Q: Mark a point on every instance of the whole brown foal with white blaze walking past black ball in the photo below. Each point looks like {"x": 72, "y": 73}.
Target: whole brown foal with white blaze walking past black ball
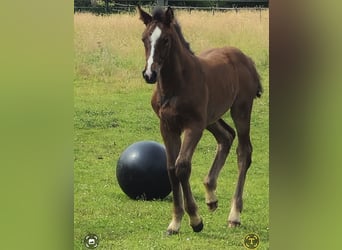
{"x": 192, "y": 94}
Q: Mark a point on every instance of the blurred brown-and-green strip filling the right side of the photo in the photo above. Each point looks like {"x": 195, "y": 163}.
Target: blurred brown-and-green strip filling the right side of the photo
{"x": 305, "y": 124}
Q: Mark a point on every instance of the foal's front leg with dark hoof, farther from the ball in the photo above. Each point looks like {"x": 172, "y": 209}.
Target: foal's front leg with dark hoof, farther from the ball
{"x": 183, "y": 171}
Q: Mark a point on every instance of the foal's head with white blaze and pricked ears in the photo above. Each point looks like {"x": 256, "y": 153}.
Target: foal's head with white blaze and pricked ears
{"x": 161, "y": 30}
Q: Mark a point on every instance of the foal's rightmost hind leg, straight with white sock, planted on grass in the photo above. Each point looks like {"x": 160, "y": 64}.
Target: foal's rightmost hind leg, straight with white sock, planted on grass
{"x": 241, "y": 116}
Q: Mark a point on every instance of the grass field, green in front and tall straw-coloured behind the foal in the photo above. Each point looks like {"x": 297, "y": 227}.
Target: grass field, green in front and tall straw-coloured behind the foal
{"x": 112, "y": 111}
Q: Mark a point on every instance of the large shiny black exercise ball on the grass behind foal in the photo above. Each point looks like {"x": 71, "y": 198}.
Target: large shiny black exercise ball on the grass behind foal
{"x": 141, "y": 171}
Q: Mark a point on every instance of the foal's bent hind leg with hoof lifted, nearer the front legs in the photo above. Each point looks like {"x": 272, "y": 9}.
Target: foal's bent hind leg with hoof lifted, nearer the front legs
{"x": 224, "y": 136}
